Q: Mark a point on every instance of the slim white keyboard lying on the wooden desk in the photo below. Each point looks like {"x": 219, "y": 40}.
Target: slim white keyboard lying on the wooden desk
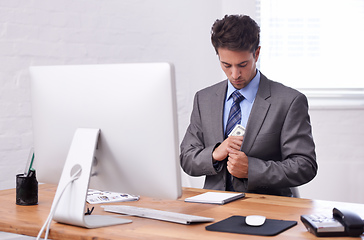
{"x": 156, "y": 214}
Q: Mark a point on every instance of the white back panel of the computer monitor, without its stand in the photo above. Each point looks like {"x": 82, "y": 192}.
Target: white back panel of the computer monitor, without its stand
{"x": 133, "y": 105}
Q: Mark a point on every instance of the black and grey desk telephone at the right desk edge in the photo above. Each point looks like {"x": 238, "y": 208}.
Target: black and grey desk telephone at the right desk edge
{"x": 341, "y": 223}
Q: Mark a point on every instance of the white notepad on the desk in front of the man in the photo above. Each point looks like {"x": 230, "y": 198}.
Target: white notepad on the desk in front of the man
{"x": 215, "y": 197}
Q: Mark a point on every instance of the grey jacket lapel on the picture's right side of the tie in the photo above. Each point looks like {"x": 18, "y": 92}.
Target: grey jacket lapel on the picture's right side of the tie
{"x": 258, "y": 114}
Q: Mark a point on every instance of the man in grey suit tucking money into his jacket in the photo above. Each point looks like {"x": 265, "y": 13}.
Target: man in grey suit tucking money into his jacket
{"x": 277, "y": 151}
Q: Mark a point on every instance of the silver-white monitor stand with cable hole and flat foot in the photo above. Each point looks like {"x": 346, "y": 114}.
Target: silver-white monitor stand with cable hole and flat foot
{"x": 70, "y": 199}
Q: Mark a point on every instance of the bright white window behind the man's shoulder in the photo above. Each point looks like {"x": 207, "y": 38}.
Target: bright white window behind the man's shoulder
{"x": 315, "y": 44}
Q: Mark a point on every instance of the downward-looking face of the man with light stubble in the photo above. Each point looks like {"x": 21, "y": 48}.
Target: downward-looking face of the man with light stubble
{"x": 239, "y": 66}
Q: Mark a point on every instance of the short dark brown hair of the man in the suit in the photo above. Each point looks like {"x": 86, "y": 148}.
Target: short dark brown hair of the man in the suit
{"x": 236, "y": 33}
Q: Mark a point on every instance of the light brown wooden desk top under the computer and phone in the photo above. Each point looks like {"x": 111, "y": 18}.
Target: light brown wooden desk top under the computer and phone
{"x": 28, "y": 220}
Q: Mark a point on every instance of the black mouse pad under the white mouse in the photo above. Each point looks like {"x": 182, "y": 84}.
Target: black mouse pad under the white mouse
{"x": 236, "y": 224}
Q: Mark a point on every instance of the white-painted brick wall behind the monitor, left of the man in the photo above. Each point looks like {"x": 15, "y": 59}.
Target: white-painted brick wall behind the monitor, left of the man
{"x": 44, "y": 32}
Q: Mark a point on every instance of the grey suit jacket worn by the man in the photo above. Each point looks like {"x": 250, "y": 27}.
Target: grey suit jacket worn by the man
{"x": 278, "y": 140}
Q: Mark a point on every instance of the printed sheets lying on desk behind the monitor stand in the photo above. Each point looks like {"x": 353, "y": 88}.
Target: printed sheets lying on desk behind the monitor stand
{"x": 96, "y": 196}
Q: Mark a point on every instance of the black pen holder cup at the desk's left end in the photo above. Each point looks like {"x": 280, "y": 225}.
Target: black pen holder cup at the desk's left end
{"x": 26, "y": 190}
